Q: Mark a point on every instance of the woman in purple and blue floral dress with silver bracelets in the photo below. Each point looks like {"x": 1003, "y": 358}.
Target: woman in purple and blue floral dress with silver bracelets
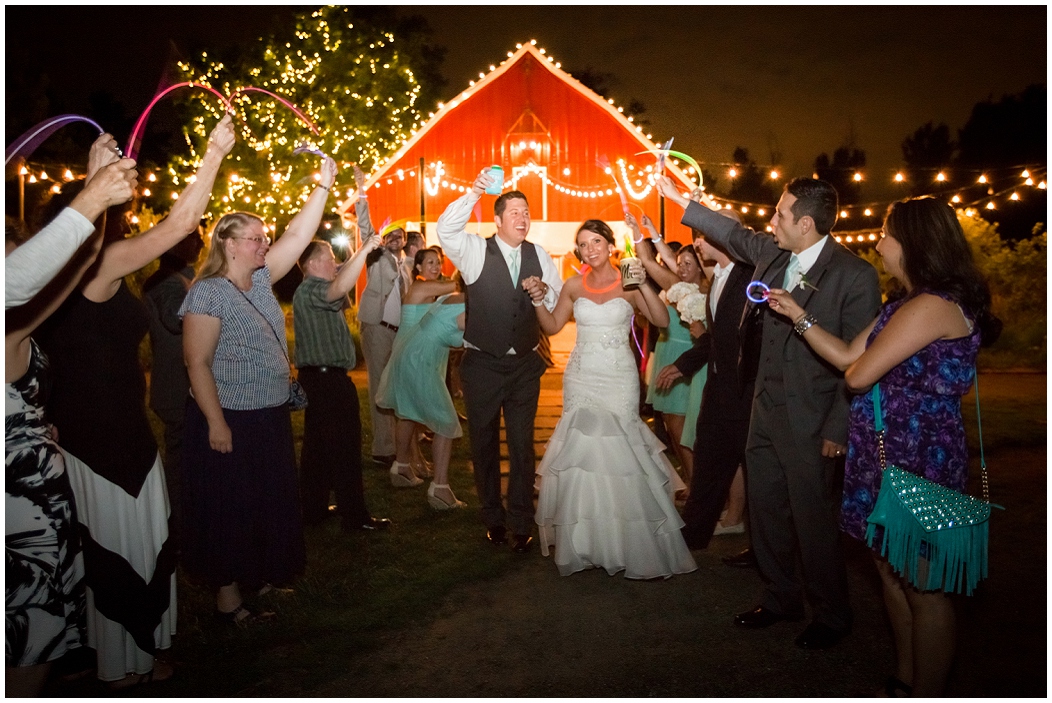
{"x": 922, "y": 351}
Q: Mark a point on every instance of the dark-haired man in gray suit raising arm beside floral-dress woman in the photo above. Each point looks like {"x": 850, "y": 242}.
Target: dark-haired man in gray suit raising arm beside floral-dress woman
{"x": 800, "y": 410}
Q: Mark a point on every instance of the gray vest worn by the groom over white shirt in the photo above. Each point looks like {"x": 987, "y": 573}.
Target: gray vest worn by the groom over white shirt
{"x": 500, "y": 316}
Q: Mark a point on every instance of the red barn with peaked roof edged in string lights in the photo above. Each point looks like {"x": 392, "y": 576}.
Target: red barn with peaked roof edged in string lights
{"x": 550, "y": 133}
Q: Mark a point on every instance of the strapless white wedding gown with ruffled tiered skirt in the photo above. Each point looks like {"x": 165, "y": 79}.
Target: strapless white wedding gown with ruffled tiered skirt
{"x": 605, "y": 486}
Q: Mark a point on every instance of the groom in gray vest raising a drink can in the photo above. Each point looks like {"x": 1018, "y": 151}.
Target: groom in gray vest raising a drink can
{"x": 501, "y": 371}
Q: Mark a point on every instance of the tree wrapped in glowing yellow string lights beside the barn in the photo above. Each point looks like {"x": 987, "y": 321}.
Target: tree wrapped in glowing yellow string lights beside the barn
{"x": 356, "y": 83}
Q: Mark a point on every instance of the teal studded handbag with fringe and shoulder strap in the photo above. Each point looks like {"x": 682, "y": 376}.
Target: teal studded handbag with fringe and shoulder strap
{"x": 916, "y": 512}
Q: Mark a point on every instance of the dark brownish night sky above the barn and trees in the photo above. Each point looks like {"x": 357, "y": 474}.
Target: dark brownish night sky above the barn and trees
{"x": 796, "y": 82}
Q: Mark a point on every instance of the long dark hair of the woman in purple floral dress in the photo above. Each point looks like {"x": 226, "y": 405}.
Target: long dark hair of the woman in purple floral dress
{"x": 937, "y": 257}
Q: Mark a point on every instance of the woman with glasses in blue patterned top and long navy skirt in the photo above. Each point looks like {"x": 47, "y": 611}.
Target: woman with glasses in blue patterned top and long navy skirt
{"x": 242, "y": 511}
